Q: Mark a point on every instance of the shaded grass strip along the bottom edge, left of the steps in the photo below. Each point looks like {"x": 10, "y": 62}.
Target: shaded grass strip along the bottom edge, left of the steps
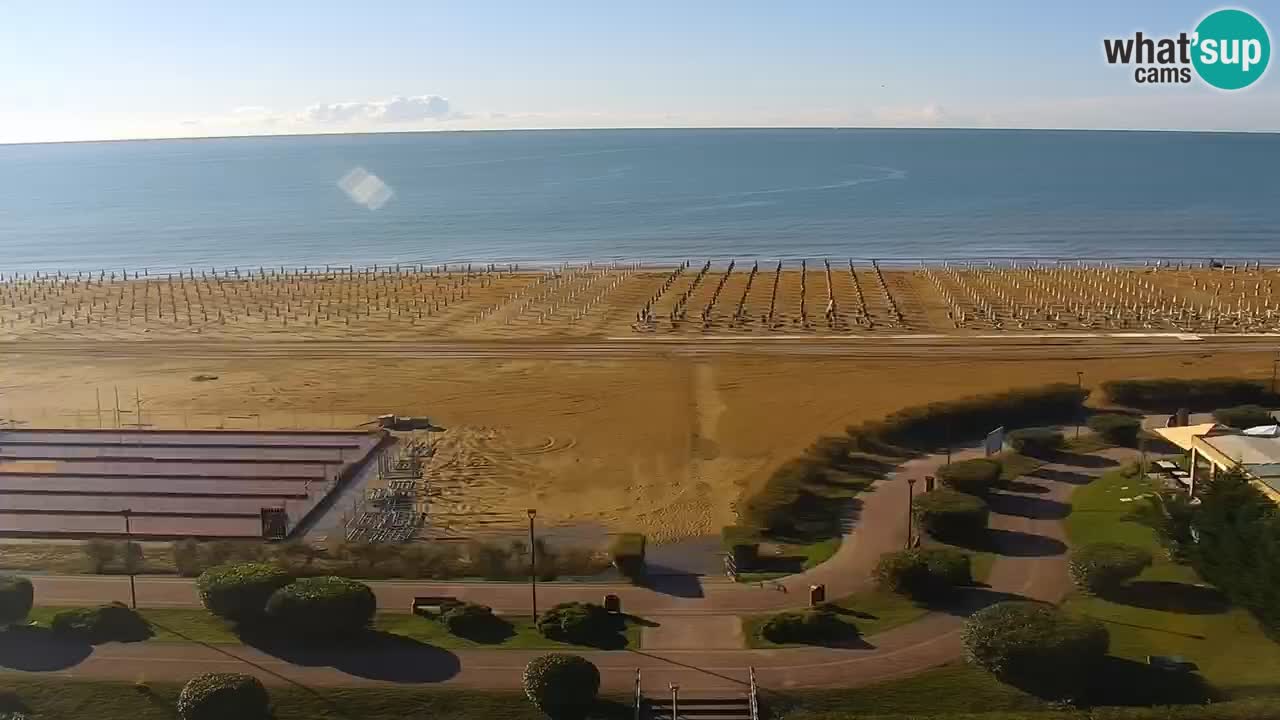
{"x": 122, "y": 701}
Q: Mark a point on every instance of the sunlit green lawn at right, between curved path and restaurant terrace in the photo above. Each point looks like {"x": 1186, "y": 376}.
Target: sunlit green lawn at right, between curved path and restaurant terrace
{"x": 1169, "y": 612}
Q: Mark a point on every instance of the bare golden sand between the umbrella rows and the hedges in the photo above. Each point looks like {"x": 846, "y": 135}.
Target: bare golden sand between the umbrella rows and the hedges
{"x": 664, "y": 445}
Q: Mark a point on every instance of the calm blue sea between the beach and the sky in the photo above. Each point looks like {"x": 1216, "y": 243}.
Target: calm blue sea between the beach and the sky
{"x": 656, "y": 195}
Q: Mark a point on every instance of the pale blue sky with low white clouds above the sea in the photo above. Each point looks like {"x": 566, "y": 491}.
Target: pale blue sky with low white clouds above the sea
{"x": 122, "y": 70}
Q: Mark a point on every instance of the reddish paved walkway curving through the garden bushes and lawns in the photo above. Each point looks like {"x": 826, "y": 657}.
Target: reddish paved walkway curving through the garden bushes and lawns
{"x": 1026, "y": 527}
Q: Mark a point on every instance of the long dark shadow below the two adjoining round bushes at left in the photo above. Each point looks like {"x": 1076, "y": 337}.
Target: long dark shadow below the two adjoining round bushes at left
{"x": 373, "y": 655}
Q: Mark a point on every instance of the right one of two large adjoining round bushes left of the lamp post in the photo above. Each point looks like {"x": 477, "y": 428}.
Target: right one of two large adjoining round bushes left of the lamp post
{"x": 322, "y": 609}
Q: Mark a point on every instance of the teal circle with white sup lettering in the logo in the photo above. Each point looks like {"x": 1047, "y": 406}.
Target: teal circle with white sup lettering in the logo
{"x": 1232, "y": 49}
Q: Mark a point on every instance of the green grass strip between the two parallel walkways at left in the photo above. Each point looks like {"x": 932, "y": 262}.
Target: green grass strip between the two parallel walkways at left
{"x": 199, "y": 626}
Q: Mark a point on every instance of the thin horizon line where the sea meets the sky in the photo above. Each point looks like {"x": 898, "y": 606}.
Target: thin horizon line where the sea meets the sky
{"x": 639, "y": 129}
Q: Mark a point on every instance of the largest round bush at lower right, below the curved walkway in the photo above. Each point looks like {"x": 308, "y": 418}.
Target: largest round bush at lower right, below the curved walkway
{"x": 1035, "y": 646}
